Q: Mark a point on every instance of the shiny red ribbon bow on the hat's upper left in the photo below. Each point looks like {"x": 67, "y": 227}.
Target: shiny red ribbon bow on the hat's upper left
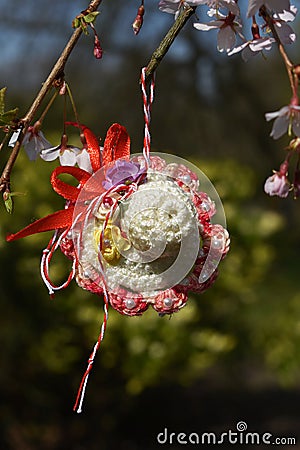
{"x": 116, "y": 146}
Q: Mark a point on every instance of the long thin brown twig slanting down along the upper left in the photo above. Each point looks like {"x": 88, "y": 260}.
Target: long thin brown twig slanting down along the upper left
{"x": 55, "y": 73}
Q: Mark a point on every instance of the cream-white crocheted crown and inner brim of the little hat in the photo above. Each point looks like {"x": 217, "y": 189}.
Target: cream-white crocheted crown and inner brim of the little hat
{"x": 160, "y": 223}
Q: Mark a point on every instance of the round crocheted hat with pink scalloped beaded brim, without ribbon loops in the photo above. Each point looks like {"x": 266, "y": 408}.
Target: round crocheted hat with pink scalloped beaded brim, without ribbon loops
{"x": 148, "y": 239}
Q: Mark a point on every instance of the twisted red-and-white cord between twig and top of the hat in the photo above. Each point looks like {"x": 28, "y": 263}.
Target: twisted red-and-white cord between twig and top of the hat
{"x": 147, "y": 112}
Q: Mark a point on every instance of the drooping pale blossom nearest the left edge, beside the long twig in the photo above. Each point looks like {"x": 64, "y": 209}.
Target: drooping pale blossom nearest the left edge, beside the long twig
{"x": 34, "y": 141}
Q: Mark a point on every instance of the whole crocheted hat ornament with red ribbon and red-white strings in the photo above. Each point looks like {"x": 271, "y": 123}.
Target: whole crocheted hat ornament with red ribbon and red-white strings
{"x": 139, "y": 229}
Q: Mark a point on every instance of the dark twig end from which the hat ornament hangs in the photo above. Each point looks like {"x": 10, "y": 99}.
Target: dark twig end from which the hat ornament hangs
{"x": 168, "y": 40}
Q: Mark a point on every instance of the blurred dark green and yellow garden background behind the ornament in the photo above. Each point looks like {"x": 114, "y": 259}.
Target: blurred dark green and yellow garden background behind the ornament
{"x": 234, "y": 352}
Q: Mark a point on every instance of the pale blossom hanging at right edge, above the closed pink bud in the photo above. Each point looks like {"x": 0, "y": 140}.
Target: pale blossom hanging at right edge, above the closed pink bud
{"x": 286, "y": 119}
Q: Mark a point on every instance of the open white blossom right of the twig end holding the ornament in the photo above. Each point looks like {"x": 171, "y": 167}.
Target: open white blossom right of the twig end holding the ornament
{"x": 228, "y": 27}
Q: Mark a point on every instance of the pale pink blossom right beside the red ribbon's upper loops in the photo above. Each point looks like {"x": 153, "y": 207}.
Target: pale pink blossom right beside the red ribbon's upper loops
{"x": 68, "y": 155}
